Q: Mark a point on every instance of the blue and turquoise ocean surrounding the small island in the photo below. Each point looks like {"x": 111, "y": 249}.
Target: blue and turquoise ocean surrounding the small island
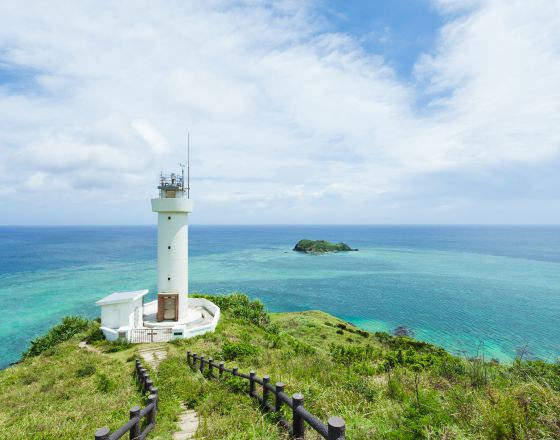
{"x": 470, "y": 289}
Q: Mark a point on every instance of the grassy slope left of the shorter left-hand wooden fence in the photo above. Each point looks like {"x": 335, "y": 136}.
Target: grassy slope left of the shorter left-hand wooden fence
{"x": 65, "y": 393}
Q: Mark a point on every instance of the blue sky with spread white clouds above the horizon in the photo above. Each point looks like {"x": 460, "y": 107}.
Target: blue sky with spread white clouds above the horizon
{"x": 299, "y": 111}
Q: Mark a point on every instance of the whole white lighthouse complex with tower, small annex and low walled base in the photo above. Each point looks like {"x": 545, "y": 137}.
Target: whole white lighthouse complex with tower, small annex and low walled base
{"x": 173, "y": 314}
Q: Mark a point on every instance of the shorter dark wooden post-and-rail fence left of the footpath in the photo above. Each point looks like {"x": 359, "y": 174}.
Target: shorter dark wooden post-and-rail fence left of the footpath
{"x": 134, "y": 426}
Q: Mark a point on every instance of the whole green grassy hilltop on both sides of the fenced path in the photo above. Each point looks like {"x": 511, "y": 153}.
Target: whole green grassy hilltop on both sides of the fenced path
{"x": 385, "y": 387}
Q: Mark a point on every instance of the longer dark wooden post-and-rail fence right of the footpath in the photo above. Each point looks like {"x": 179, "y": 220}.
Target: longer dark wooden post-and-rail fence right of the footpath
{"x": 333, "y": 430}
